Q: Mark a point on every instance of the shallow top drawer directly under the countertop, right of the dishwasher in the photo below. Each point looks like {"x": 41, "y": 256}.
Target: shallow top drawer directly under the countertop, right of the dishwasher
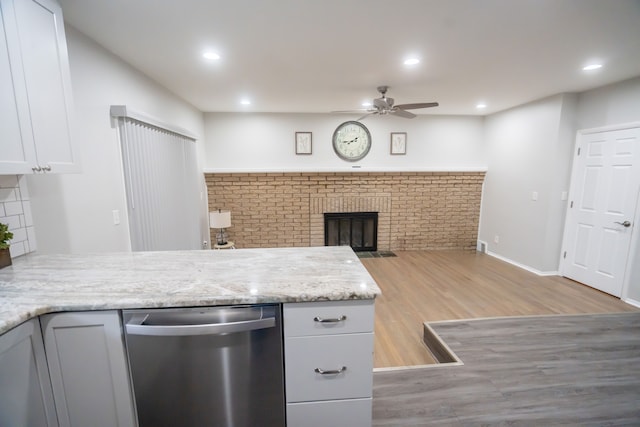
{"x": 325, "y": 318}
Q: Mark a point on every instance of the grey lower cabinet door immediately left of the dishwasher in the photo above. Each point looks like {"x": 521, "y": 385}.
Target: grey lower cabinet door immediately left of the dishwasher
{"x": 86, "y": 357}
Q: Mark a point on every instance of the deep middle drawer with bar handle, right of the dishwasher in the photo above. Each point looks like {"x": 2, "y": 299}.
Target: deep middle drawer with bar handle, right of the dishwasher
{"x": 351, "y": 353}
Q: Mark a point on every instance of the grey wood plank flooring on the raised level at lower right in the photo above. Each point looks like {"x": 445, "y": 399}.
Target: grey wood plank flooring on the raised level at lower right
{"x": 581, "y": 370}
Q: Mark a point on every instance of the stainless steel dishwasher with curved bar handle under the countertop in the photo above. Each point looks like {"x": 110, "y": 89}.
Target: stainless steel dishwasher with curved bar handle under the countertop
{"x": 213, "y": 366}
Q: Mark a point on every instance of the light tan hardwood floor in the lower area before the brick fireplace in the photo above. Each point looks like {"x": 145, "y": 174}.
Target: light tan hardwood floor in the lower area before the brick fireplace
{"x": 420, "y": 286}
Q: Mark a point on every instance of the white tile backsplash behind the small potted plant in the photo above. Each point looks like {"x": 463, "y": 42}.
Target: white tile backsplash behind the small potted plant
{"x": 15, "y": 210}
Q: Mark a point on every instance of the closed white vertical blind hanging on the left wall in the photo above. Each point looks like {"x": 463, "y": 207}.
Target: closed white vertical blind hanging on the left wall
{"x": 162, "y": 186}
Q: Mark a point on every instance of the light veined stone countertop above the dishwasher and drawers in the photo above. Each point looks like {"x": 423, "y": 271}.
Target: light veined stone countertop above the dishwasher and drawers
{"x": 39, "y": 284}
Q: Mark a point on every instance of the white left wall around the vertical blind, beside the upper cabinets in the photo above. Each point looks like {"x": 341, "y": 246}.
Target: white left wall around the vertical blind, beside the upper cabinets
{"x": 73, "y": 213}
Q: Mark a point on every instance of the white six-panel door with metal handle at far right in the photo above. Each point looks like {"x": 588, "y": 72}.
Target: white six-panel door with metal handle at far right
{"x": 600, "y": 217}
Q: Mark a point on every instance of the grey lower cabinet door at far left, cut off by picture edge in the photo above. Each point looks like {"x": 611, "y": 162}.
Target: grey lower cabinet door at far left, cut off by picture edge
{"x": 25, "y": 389}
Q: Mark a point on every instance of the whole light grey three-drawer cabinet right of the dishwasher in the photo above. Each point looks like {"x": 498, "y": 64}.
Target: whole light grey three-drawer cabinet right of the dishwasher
{"x": 329, "y": 363}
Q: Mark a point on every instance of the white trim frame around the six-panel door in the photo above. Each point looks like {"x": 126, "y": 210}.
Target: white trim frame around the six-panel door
{"x": 634, "y": 246}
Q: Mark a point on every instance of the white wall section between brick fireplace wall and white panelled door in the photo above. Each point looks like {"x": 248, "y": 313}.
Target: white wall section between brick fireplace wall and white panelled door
{"x": 529, "y": 150}
